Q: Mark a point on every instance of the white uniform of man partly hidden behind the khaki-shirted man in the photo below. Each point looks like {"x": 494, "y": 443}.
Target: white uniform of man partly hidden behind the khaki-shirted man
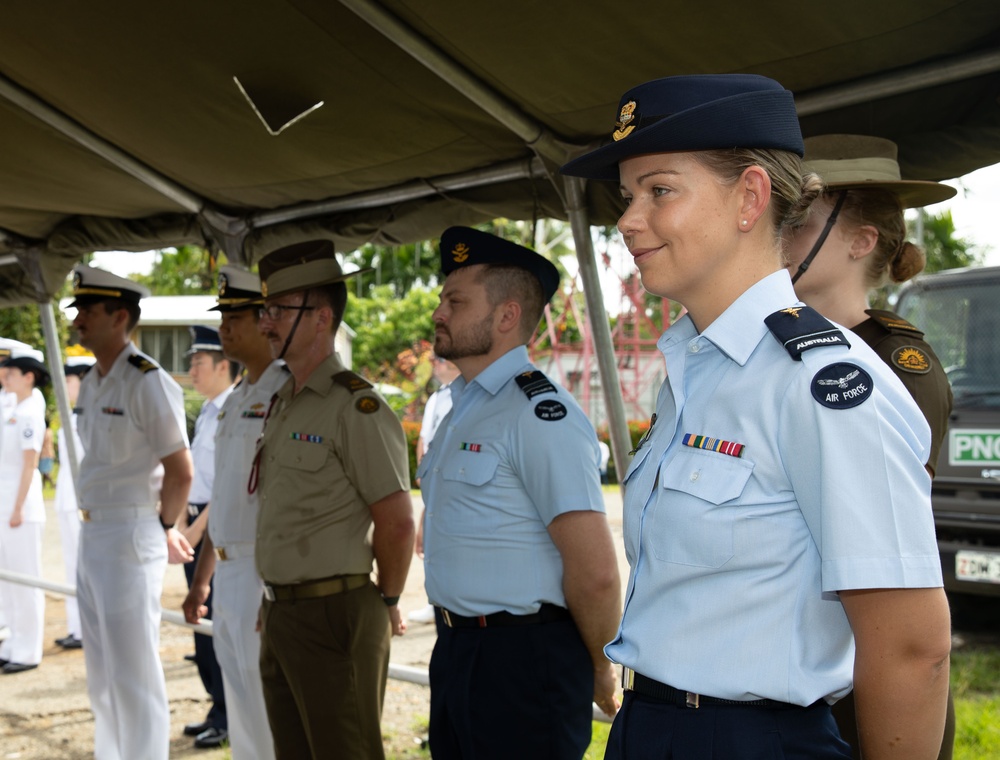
{"x": 238, "y": 589}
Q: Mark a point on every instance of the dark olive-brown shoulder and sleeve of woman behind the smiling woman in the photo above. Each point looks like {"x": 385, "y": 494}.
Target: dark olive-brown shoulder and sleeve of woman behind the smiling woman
{"x": 902, "y": 346}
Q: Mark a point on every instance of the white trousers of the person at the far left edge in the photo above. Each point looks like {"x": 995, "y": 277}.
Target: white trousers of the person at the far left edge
{"x": 24, "y": 606}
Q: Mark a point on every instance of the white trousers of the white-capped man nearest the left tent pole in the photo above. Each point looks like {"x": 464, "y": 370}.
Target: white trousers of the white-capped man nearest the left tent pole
{"x": 119, "y": 582}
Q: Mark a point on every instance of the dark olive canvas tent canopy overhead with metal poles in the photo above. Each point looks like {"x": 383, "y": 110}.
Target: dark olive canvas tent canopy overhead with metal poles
{"x": 125, "y": 125}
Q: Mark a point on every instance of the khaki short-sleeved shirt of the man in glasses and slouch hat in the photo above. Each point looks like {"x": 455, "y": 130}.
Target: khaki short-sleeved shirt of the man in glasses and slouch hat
{"x": 325, "y": 455}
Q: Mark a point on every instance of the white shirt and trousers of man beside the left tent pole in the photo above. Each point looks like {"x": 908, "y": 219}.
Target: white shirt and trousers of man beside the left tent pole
{"x": 129, "y": 420}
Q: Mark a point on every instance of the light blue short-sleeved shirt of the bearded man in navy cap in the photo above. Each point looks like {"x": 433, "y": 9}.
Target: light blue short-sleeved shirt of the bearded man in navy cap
{"x": 500, "y": 468}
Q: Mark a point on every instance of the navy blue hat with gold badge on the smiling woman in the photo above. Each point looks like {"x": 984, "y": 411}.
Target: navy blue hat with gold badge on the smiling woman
{"x": 691, "y": 113}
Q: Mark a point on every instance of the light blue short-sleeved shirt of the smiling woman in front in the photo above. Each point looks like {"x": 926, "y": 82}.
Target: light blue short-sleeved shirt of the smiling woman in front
{"x": 735, "y": 561}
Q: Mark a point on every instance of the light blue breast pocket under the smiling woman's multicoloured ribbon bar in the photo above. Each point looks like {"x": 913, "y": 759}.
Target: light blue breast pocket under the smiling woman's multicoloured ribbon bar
{"x": 693, "y": 521}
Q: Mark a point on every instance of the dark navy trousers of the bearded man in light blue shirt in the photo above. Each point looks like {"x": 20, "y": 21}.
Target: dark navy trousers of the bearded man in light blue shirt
{"x": 521, "y": 692}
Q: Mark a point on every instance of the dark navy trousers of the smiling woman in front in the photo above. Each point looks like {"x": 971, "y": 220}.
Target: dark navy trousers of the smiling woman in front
{"x": 647, "y": 729}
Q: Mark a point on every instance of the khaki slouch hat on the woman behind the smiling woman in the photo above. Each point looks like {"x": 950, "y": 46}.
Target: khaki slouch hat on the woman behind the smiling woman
{"x": 863, "y": 162}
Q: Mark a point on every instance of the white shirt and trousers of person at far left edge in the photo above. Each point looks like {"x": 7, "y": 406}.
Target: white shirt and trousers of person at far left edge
{"x": 21, "y": 547}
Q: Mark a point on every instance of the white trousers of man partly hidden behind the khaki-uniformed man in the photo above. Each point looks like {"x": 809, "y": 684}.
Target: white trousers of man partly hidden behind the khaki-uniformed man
{"x": 237, "y": 595}
